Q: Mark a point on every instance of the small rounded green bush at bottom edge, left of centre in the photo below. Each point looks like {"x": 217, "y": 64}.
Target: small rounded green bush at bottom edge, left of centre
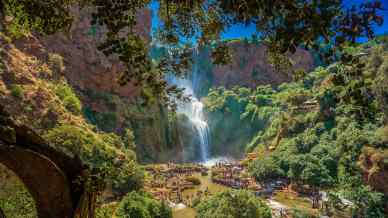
{"x": 141, "y": 205}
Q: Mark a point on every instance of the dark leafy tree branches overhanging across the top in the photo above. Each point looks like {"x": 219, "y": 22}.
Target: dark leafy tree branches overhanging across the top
{"x": 282, "y": 25}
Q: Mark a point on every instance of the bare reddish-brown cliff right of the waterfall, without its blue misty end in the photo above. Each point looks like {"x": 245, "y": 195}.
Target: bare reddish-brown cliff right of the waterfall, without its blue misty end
{"x": 250, "y": 66}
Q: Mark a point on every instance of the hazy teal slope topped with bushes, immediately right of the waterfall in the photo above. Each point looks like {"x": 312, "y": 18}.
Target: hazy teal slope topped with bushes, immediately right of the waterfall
{"x": 240, "y": 107}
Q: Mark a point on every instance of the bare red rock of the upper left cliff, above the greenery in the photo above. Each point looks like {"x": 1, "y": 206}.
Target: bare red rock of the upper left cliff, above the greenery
{"x": 84, "y": 66}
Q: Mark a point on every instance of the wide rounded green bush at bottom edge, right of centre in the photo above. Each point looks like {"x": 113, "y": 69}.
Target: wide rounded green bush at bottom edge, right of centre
{"x": 233, "y": 204}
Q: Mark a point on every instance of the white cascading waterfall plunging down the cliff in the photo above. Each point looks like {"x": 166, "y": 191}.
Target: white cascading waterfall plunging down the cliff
{"x": 194, "y": 111}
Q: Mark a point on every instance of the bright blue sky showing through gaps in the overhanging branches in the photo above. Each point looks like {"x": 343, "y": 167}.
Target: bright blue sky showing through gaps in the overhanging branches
{"x": 241, "y": 31}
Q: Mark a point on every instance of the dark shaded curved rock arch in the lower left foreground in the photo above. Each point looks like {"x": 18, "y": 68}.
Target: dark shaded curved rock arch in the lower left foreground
{"x": 48, "y": 174}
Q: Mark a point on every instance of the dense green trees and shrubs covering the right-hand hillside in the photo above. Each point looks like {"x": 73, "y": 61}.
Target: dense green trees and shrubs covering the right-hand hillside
{"x": 309, "y": 133}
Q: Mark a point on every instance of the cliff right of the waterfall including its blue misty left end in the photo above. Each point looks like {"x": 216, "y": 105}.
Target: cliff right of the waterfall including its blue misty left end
{"x": 249, "y": 67}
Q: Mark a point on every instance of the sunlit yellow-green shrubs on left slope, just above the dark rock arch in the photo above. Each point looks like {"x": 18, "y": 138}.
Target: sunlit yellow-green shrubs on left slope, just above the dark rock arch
{"x": 103, "y": 152}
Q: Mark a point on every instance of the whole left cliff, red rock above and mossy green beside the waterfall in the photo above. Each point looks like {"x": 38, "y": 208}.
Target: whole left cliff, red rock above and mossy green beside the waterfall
{"x": 111, "y": 107}
